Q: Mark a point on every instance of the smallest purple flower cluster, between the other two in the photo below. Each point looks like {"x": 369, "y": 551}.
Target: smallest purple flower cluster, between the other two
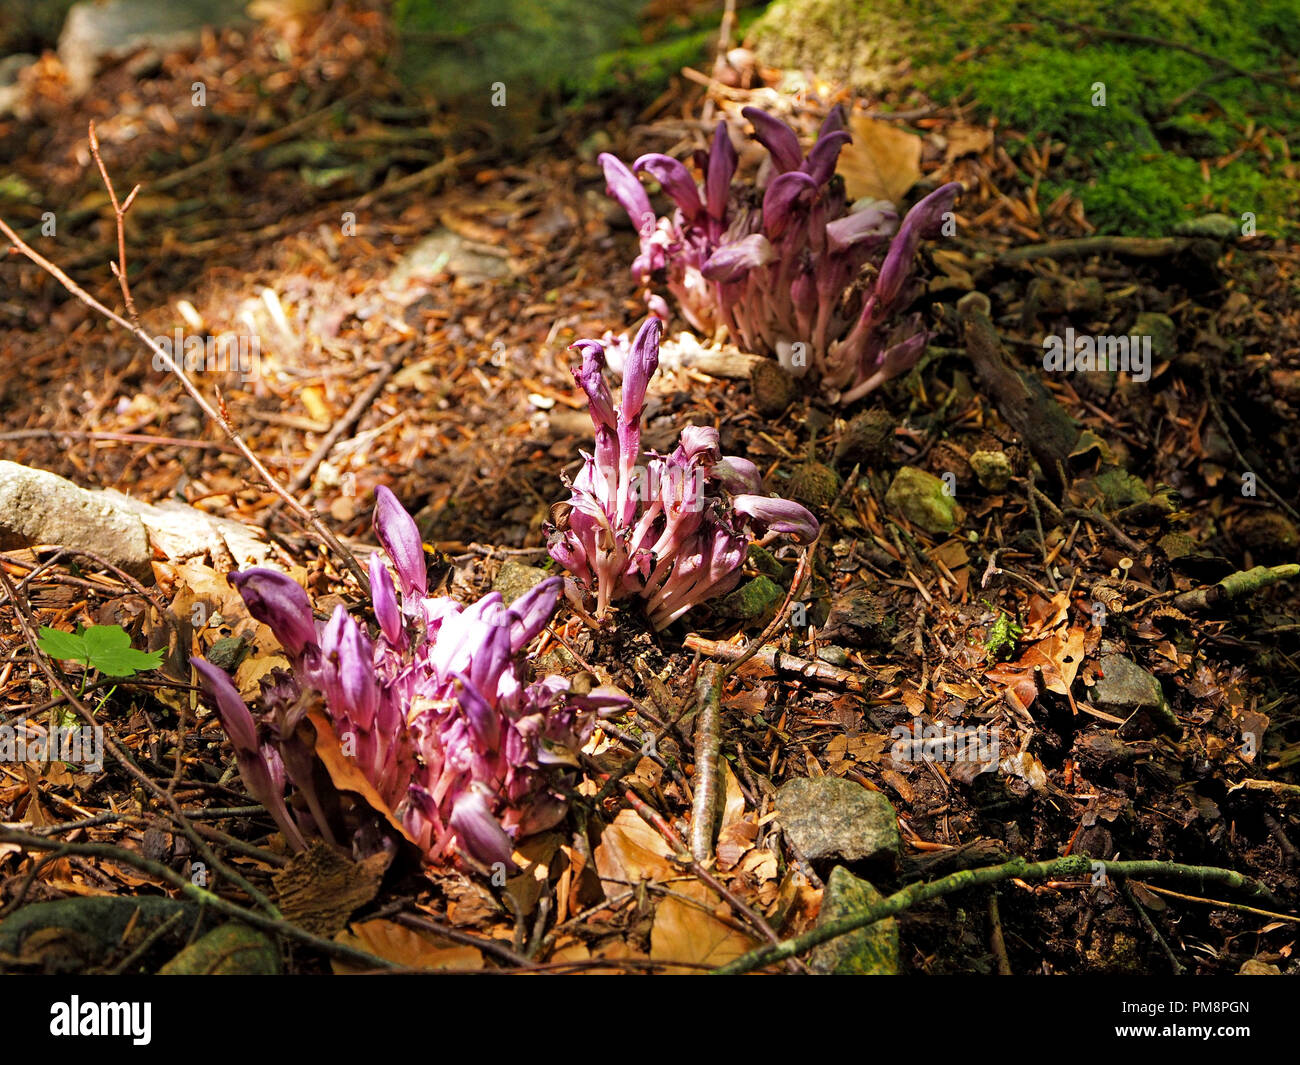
{"x": 670, "y": 530}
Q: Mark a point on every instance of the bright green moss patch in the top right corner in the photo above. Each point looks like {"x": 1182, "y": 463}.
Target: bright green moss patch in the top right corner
{"x": 1134, "y": 162}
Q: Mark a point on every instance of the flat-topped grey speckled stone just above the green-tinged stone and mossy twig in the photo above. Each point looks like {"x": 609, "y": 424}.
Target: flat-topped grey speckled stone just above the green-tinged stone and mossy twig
{"x": 827, "y": 817}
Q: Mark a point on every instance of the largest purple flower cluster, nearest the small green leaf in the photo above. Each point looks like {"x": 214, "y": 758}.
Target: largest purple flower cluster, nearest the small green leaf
{"x": 435, "y": 712}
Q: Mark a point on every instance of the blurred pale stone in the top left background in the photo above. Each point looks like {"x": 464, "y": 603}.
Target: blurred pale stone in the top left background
{"x": 96, "y": 32}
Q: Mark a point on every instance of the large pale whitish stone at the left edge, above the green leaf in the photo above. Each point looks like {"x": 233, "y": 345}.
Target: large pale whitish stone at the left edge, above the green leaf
{"x": 41, "y": 508}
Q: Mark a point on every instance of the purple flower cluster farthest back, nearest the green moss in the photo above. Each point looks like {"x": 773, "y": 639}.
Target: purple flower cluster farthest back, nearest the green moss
{"x": 779, "y": 265}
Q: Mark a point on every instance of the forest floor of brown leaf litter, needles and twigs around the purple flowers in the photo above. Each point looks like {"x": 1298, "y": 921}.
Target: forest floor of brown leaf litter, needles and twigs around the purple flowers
{"x": 1002, "y": 624}
